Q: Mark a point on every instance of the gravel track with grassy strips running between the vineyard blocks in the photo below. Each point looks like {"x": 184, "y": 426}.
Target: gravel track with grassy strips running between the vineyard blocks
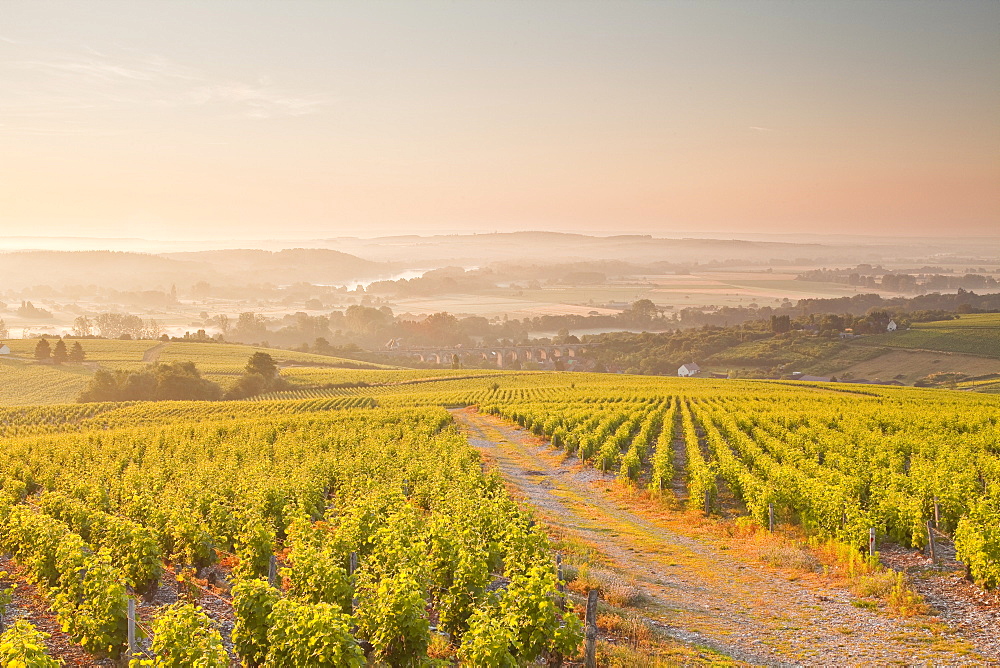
{"x": 697, "y": 591}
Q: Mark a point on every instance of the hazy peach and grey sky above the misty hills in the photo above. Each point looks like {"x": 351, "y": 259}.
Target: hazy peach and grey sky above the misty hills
{"x": 294, "y": 119}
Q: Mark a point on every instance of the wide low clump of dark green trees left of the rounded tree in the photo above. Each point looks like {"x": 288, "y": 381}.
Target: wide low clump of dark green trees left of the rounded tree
{"x": 160, "y": 382}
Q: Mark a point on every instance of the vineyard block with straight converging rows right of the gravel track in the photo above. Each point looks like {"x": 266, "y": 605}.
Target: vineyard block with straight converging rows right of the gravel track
{"x": 839, "y": 464}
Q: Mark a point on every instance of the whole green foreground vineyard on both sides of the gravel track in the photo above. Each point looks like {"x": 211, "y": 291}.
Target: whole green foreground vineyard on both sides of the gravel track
{"x": 355, "y": 524}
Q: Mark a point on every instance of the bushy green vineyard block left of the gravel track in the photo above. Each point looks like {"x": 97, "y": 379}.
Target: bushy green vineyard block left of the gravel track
{"x": 389, "y": 538}
